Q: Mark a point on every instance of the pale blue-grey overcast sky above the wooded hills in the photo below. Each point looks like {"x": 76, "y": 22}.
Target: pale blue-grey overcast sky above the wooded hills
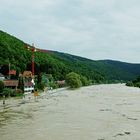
{"x": 96, "y": 29}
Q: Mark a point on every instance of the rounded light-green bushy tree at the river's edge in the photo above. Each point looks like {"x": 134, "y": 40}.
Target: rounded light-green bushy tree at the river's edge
{"x": 73, "y": 80}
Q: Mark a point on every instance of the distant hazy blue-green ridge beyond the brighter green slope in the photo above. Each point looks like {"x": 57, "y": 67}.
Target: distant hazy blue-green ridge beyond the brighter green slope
{"x": 115, "y": 70}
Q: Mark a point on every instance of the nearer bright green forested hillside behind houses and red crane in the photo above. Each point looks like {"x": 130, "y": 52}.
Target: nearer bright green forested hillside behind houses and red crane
{"x": 14, "y": 51}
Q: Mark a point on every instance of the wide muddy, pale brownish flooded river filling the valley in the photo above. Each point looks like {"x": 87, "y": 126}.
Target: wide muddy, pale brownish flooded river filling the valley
{"x": 101, "y": 112}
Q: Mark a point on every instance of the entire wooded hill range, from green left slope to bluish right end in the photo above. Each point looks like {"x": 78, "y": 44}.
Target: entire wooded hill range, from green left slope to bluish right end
{"x": 59, "y": 64}
